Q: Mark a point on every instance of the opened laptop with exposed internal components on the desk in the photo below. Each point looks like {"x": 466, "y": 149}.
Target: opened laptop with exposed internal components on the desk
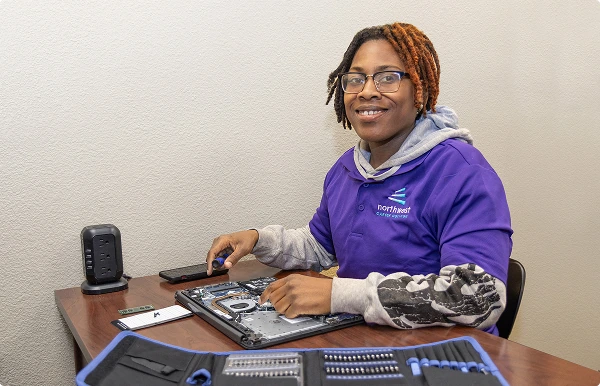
{"x": 233, "y": 308}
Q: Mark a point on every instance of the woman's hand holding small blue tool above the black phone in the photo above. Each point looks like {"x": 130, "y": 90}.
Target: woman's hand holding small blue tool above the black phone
{"x": 238, "y": 245}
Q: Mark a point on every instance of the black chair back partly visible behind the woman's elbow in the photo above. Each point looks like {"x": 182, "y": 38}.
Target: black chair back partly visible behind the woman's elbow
{"x": 514, "y": 291}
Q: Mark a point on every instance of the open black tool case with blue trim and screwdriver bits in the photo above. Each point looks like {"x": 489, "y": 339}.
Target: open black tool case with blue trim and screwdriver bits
{"x": 132, "y": 359}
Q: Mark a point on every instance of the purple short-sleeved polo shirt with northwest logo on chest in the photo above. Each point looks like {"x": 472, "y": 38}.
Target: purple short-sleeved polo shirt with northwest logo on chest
{"x": 447, "y": 207}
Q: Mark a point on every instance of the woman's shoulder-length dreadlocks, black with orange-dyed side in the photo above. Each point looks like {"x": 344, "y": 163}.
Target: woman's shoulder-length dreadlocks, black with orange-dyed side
{"x": 416, "y": 52}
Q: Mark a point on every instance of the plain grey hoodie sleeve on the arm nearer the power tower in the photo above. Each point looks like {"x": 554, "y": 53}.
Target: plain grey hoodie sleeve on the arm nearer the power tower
{"x": 291, "y": 249}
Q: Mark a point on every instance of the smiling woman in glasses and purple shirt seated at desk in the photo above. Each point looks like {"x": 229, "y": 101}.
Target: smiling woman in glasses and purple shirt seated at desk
{"x": 414, "y": 216}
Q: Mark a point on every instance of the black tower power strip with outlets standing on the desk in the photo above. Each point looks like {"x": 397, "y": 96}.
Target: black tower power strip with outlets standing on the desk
{"x": 102, "y": 259}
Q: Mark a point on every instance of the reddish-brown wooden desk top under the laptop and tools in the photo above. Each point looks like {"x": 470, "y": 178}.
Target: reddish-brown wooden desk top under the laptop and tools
{"x": 89, "y": 317}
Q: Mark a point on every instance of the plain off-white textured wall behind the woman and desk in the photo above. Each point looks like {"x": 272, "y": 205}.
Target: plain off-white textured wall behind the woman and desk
{"x": 180, "y": 120}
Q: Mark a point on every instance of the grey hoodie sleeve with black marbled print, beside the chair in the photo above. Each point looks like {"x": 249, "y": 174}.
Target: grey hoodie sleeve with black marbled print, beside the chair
{"x": 464, "y": 295}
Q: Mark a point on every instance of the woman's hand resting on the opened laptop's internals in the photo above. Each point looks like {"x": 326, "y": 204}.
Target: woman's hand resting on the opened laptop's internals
{"x": 296, "y": 295}
